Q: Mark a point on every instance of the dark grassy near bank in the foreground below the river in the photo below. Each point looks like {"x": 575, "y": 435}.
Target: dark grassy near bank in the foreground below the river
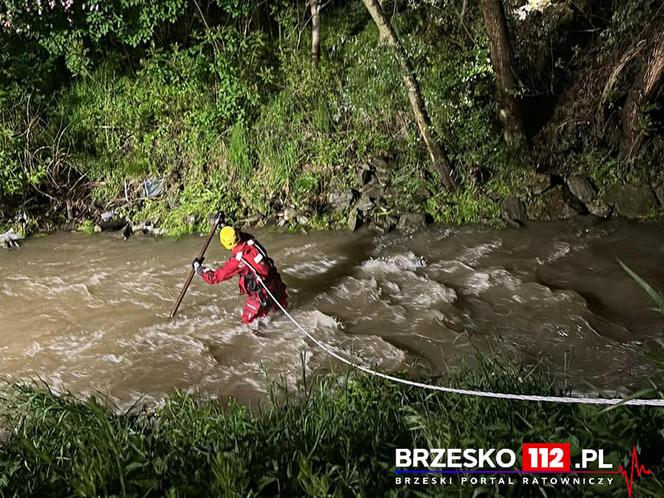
{"x": 335, "y": 439}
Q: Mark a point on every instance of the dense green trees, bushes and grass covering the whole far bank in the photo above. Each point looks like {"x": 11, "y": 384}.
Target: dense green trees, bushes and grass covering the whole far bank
{"x": 222, "y": 100}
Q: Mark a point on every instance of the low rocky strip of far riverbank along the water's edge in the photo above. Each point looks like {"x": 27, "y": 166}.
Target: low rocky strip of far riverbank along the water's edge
{"x": 535, "y": 197}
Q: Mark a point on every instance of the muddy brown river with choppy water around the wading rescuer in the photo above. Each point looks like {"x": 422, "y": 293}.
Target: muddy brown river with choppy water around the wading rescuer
{"x": 90, "y": 313}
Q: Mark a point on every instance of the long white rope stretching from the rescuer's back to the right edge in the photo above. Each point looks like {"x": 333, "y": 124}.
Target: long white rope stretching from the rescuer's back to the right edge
{"x": 454, "y": 390}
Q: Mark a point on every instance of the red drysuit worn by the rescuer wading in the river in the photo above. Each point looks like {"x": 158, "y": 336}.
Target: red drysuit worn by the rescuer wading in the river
{"x": 250, "y": 252}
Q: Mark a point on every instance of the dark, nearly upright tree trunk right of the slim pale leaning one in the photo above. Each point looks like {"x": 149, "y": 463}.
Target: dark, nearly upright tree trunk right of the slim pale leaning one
{"x": 501, "y": 59}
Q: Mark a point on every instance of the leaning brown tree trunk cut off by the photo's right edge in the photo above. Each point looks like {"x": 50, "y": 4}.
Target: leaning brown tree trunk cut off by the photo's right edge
{"x": 643, "y": 90}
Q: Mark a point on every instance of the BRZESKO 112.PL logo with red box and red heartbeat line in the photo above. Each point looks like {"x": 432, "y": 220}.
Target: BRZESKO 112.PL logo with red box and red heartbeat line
{"x": 541, "y": 464}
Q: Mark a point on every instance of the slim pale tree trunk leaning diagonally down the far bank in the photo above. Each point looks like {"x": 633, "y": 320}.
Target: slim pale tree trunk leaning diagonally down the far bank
{"x": 439, "y": 160}
